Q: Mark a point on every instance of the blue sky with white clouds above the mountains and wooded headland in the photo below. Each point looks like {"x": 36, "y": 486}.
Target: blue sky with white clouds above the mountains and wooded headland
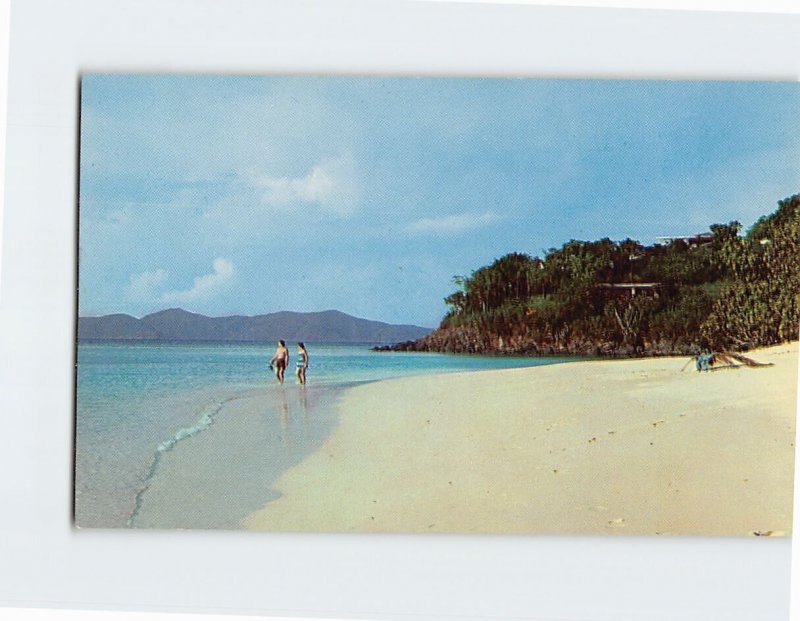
{"x": 249, "y": 195}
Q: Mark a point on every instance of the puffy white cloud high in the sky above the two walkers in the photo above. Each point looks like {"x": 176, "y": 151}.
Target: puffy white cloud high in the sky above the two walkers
{"x": 330, "y": 185}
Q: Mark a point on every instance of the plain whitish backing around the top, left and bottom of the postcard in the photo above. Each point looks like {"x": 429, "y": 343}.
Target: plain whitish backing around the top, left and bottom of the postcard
{"x": 44, "y": 562}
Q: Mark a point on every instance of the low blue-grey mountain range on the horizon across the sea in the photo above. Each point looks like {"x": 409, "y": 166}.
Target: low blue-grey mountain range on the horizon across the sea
{"x": 179, "y": 325}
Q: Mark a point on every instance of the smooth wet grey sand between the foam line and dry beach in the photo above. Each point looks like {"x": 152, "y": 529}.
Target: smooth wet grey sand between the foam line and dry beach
{"x": 212, "y": 478}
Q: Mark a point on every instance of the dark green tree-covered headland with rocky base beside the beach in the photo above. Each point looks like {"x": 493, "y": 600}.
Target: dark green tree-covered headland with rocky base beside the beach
{"x": 721, "y": 290}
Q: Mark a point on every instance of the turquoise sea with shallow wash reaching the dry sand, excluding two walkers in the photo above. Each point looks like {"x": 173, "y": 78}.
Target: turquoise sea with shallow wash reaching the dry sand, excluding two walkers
{"x": 192, "y": 435}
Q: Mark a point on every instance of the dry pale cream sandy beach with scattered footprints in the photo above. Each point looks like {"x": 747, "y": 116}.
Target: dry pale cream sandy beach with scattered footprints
{"x": 635, "y": 447}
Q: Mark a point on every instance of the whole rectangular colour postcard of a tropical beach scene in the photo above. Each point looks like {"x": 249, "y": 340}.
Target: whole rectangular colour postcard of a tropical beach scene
{"x": 437, "y": 305}
